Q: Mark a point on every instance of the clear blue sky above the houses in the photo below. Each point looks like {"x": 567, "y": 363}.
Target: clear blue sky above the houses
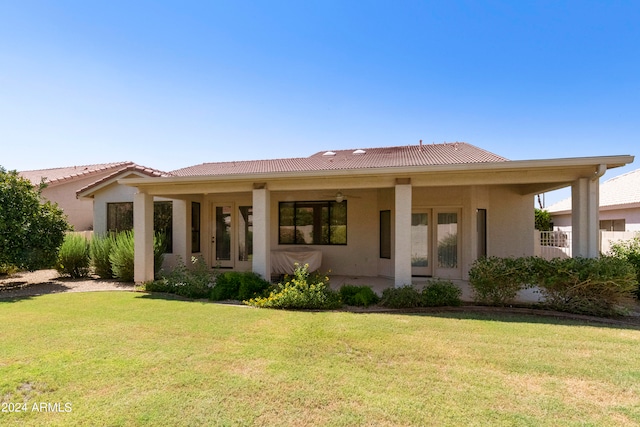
{"x": 169, "y": 84}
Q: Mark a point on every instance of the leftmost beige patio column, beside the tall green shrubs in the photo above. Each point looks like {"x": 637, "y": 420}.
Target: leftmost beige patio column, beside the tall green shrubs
{"x": 143, "y": 237}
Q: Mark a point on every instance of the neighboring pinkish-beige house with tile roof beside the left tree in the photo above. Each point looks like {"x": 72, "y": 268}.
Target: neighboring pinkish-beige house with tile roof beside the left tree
{"x": 63, "y": 183}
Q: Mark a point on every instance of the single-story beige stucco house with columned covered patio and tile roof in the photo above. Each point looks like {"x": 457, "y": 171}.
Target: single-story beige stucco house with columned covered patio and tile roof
{"x": 397, "y": 212}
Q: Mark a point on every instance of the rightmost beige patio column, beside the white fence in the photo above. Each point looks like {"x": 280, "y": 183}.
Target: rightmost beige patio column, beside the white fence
{"x": 585, "y": 218}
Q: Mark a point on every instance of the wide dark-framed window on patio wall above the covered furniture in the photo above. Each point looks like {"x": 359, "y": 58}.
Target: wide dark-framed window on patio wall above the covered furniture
{"x": 313, "y": 223}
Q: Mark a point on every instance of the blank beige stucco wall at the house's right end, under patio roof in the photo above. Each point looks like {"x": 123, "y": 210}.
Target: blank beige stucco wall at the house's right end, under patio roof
{"x": 510, "y": 223}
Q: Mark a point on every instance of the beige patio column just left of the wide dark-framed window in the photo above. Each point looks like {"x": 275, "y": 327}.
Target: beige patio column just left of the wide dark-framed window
{"x": 261, "y": 231}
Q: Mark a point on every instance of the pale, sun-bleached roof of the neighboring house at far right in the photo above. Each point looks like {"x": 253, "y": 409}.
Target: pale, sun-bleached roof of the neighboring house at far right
{"x": 619, "y": 190}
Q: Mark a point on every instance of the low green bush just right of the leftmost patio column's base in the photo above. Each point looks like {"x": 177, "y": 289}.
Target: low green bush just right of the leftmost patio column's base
{"x": 194, "y": 282}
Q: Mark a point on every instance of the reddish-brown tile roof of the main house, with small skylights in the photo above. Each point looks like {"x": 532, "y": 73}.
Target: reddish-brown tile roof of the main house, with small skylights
{"x": 385, "y": 157}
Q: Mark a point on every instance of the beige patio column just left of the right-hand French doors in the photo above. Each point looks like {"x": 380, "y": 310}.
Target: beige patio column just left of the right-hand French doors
{"x": 402, "y": 255}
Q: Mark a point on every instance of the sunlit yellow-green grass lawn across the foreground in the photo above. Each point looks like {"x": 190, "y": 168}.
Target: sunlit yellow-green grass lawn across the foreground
{"x": 125, "y": 359}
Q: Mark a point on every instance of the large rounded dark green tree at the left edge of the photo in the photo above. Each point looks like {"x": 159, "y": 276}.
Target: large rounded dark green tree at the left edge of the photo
{"x": 31, "y": 230}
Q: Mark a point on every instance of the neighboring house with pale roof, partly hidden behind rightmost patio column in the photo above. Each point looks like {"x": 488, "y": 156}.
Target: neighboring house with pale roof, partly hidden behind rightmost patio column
{"x": 619, "y": 205}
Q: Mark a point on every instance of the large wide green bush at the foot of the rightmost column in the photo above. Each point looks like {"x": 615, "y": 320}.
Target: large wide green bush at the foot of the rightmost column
{"x": 596, "y": 286}
